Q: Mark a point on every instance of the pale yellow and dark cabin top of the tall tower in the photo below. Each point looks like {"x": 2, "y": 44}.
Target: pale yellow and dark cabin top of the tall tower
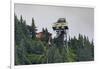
{"x": 61, "y": 24}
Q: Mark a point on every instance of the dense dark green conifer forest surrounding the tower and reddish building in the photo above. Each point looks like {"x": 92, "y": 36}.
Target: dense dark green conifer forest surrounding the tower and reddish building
{"x": 30, "y": 50}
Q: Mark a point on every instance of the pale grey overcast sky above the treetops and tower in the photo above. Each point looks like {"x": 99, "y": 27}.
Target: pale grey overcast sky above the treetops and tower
{"x": 80, "y": 20}
